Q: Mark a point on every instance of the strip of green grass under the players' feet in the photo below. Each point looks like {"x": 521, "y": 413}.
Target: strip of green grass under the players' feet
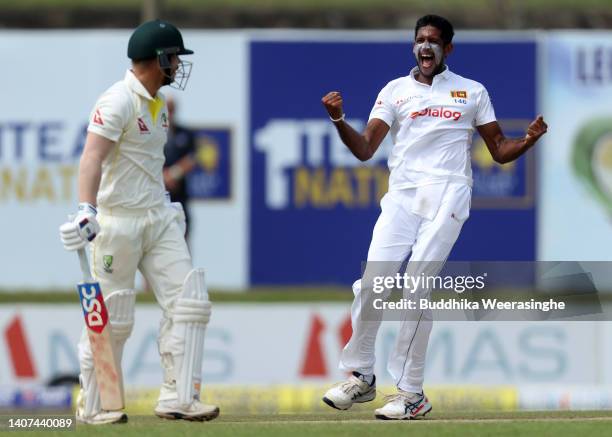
{"x": 353, "y": 424}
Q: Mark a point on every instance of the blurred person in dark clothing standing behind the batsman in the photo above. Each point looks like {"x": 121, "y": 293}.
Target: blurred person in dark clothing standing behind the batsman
{"x": 179, "y": 151}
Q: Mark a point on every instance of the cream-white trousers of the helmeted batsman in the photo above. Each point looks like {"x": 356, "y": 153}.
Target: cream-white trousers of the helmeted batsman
{"x": 151, "y": 241}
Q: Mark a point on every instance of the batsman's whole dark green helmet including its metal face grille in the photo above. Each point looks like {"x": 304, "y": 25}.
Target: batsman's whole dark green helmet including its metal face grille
{"x": 160, "y": 39}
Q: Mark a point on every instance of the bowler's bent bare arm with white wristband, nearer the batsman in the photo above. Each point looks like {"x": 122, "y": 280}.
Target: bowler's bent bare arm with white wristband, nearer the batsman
{"x": 361, "y": 145}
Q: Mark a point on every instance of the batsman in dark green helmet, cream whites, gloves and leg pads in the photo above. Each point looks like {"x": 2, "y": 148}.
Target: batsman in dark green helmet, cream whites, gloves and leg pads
{"x": 124, "y": 213}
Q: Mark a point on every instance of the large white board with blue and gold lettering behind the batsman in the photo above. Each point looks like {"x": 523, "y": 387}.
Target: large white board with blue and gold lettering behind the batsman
{"x": 47, "y": 98}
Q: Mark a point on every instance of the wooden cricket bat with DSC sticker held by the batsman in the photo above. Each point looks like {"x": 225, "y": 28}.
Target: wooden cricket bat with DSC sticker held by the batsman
{"x": 108, "y": 371}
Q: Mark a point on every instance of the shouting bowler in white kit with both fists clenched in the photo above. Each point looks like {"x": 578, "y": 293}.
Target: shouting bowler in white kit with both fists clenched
{"x": 431, "y": 115}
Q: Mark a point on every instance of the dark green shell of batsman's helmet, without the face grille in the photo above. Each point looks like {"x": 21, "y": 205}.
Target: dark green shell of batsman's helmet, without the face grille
{"x": 155, "y": 38}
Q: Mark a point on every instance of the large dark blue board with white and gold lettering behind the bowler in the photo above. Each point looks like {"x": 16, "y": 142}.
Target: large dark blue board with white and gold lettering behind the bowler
{"x": 313, "y": 205}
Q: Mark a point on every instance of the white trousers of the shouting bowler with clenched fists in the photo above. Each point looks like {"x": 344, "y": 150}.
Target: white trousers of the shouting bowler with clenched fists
{"x": 398, "y": 233}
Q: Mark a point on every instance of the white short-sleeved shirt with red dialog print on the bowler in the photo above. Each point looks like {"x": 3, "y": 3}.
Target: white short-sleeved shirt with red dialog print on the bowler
{"x": 431, "y": 127}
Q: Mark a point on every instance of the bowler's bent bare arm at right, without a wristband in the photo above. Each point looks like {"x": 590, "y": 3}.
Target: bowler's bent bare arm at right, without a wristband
{"x": 504, "y": 150}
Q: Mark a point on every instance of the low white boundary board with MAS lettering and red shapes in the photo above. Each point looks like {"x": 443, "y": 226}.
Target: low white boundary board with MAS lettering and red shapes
{"x": 299, "y": 344}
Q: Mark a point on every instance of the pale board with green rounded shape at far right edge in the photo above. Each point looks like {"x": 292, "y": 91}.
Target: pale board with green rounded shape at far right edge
{"x": 575, "y": 171}
